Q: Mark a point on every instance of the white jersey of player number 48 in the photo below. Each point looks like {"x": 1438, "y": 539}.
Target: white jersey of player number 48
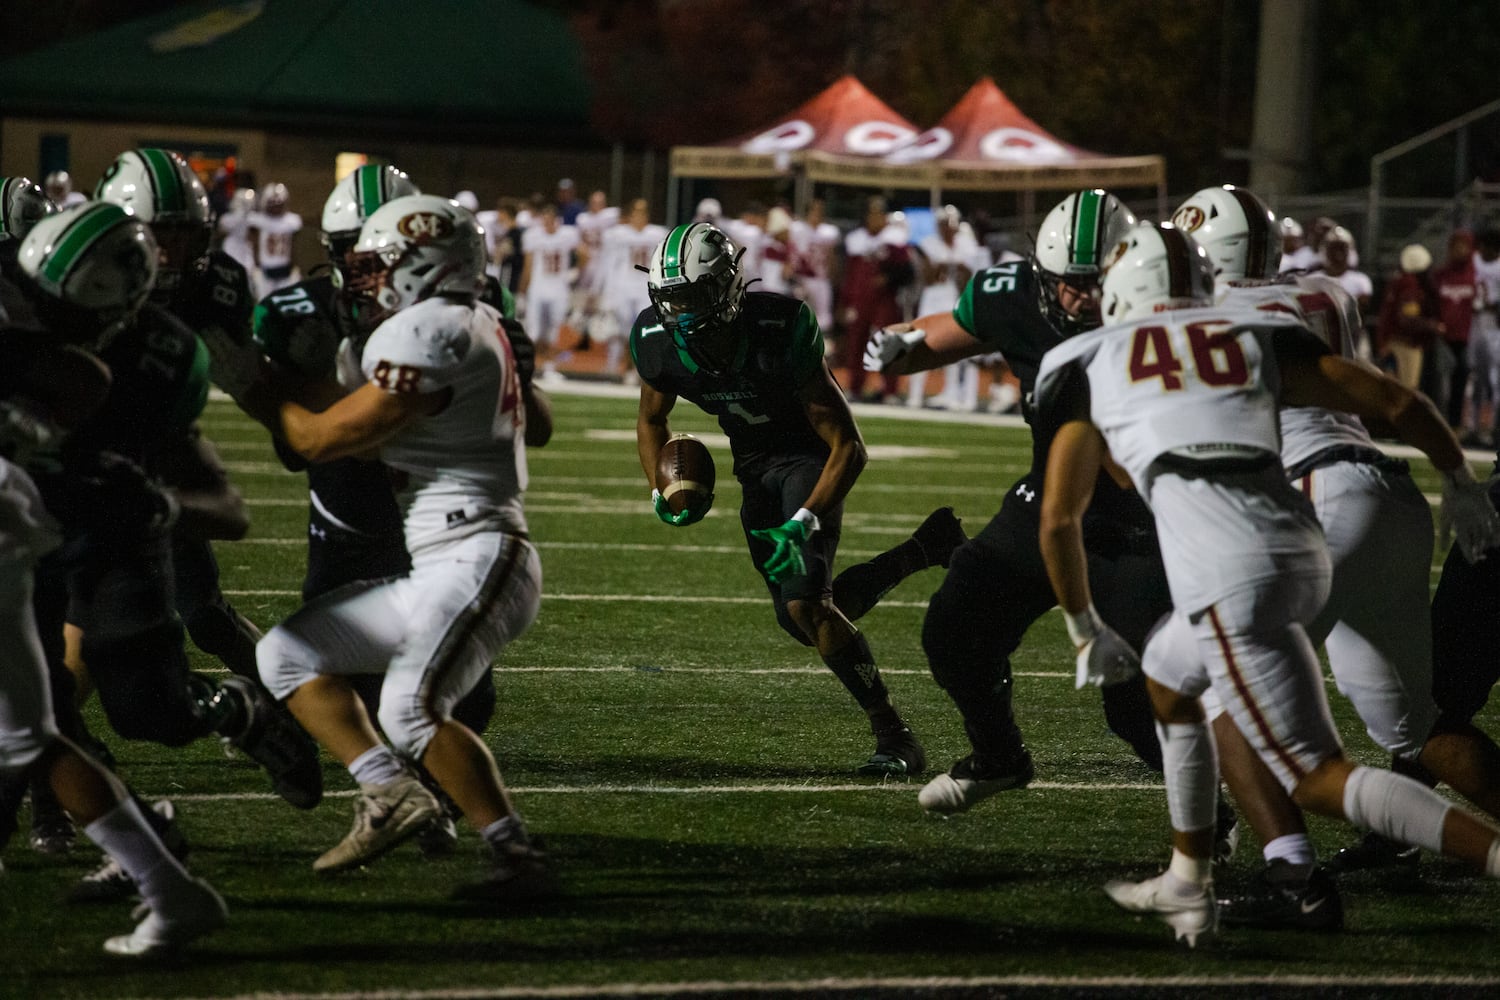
{"x": 466, "y": 467}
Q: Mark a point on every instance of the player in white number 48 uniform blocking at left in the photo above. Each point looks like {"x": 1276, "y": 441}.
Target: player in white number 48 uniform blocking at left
{"x": 442, "y": 401}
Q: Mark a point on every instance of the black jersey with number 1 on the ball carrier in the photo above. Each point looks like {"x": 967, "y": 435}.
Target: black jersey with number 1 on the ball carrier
{"x": 757, "y": 404}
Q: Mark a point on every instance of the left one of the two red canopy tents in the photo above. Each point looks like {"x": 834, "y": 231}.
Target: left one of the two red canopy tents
{"x": 845, "y": 121}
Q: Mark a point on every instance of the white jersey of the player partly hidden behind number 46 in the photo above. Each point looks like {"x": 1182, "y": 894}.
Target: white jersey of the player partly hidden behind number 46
{"x": 1331, "y": 314}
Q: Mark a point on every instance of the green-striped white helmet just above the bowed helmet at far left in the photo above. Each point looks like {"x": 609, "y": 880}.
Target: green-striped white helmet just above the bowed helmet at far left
{"x": 161, "y": 190}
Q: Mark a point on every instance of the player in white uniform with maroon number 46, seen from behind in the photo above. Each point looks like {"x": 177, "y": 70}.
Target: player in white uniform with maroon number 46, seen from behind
{"x": 1183, "y": 398}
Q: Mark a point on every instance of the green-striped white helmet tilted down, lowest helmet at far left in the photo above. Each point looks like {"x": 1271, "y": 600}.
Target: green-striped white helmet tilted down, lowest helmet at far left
{"x": 95, "y": 265}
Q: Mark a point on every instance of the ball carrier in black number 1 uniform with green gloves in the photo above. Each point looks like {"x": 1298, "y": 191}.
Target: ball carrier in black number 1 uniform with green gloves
{"x": 755, "y": 361}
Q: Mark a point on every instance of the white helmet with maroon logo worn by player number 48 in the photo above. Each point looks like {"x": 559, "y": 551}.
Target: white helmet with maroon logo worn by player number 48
{"x": 415, "y": 248}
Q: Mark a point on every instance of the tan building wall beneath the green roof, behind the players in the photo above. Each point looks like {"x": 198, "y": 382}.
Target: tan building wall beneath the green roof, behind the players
{"x": 307, "y": 164}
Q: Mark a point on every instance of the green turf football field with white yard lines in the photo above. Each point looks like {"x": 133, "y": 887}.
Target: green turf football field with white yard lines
{"x": 689, "y": 767}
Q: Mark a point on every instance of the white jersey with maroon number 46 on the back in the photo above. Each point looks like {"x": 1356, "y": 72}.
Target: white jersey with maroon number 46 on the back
{"x": 1195, "y": 383}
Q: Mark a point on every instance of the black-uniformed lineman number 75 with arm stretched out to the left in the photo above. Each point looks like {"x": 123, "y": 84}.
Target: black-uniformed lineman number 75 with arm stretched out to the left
{"x": 997, "y": 587}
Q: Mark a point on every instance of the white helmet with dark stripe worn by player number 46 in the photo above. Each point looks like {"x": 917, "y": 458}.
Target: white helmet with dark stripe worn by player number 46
{"x": 1154, "y": 269}
